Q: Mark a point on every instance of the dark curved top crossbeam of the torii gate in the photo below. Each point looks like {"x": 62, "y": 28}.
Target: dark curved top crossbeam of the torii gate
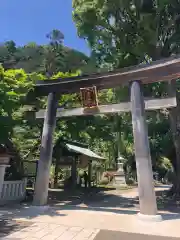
{"x": 161, "y": 70}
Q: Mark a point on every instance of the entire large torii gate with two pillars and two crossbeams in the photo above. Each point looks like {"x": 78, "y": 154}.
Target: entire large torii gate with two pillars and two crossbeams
{"x": 163, "y": 70}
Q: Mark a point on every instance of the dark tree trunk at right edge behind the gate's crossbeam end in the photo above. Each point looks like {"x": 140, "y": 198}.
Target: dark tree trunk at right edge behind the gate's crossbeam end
{"x": 174, "y": 115}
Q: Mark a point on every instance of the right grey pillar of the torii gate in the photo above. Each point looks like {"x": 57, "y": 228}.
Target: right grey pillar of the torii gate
{"x": 147, "y": 198}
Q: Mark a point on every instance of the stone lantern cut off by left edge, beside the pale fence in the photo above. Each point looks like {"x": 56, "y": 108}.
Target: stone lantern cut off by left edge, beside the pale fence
{"x": 4, "y": 161}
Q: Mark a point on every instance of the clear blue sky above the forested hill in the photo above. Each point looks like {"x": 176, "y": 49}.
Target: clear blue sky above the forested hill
{"x": 29, "y": 21}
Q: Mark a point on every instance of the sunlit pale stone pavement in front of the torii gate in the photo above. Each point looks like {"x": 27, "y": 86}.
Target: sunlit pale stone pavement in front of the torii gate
{"x": 82, "y": 222}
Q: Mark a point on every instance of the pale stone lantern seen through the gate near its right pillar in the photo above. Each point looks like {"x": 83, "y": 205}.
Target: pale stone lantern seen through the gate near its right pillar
{"x": 119, "y": 176}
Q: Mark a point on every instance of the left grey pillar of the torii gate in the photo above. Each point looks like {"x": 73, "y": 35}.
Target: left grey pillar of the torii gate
{"x": 44, "y": 164}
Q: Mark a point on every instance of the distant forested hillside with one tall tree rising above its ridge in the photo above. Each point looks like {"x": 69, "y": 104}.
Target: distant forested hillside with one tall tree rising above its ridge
{"x": 40, "y": 58}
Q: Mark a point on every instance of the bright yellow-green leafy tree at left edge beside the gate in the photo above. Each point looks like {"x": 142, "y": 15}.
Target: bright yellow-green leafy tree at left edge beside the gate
{"x": 14, "y": 86}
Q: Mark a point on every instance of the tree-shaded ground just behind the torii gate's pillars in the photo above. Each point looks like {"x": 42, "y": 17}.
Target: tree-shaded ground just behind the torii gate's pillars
{"x": 110, "y": 198}
